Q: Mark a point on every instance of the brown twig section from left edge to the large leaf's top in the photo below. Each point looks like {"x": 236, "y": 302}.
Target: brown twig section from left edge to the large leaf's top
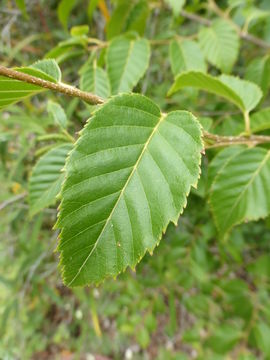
{"x": 59, "y": 87}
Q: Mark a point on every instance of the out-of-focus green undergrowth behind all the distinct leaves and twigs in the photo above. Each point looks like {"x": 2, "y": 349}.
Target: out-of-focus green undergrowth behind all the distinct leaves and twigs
{"x": 197, "y": 297}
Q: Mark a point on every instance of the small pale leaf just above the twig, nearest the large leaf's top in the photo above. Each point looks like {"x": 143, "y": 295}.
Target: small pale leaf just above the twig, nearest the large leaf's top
{"x": 95, "y": 80}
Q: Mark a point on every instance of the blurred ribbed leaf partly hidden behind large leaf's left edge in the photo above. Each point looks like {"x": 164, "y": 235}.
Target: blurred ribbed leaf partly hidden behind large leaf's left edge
{"x": 46, "y": 179}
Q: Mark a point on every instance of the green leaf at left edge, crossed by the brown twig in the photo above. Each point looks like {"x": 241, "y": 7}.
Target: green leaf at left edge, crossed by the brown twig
{"x": 12, "y": 91}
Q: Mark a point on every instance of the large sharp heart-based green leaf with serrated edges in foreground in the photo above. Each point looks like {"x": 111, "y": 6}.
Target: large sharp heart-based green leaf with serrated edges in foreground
{"x": 110, "y": 214}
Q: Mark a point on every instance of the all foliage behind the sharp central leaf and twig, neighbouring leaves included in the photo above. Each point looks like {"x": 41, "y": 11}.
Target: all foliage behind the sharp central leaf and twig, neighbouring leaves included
{"x": 202, "y": 295}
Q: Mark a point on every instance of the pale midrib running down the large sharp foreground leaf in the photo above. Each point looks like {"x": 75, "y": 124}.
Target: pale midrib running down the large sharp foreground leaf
{"x": 162, "y": 117}
